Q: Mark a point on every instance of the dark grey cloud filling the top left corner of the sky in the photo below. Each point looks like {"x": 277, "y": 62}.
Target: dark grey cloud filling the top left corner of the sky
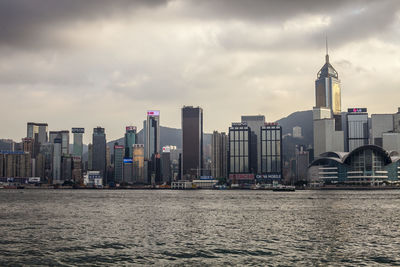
{"x": 34, "y": 23}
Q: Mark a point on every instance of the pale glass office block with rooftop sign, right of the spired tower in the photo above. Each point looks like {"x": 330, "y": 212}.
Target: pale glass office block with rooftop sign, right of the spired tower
{"x": 356, "y": 130}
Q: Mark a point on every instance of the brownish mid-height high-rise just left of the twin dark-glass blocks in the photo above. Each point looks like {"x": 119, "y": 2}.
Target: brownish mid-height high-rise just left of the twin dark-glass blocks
{"x": 219, "y": 150}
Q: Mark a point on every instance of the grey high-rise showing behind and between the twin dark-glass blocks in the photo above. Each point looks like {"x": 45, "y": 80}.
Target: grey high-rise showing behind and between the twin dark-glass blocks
{"x": 255, "y": 123}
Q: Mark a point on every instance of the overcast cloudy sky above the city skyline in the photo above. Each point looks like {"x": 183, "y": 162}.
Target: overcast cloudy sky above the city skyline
{"x": 88, "y": 63}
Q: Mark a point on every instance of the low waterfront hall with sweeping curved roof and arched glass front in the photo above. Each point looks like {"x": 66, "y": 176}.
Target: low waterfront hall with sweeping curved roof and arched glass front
{"x": 366, "y": 165}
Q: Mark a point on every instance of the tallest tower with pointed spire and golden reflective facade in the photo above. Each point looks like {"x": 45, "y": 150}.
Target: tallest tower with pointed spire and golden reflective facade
{"x": 327, "y": 90}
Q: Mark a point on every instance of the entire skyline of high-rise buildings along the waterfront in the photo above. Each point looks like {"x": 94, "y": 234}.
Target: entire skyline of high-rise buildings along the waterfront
{"x": 348, "y": 148}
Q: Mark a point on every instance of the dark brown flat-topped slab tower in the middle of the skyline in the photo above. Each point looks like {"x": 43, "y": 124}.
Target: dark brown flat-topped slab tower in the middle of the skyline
{"x": 192, "y": 142}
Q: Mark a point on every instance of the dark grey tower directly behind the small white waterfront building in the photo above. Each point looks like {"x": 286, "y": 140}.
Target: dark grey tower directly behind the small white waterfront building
{"x": 99, "y": 152}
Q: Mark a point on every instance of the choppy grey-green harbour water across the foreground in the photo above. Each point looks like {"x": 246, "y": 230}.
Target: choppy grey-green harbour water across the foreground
{"x": 165, "y": 227}
